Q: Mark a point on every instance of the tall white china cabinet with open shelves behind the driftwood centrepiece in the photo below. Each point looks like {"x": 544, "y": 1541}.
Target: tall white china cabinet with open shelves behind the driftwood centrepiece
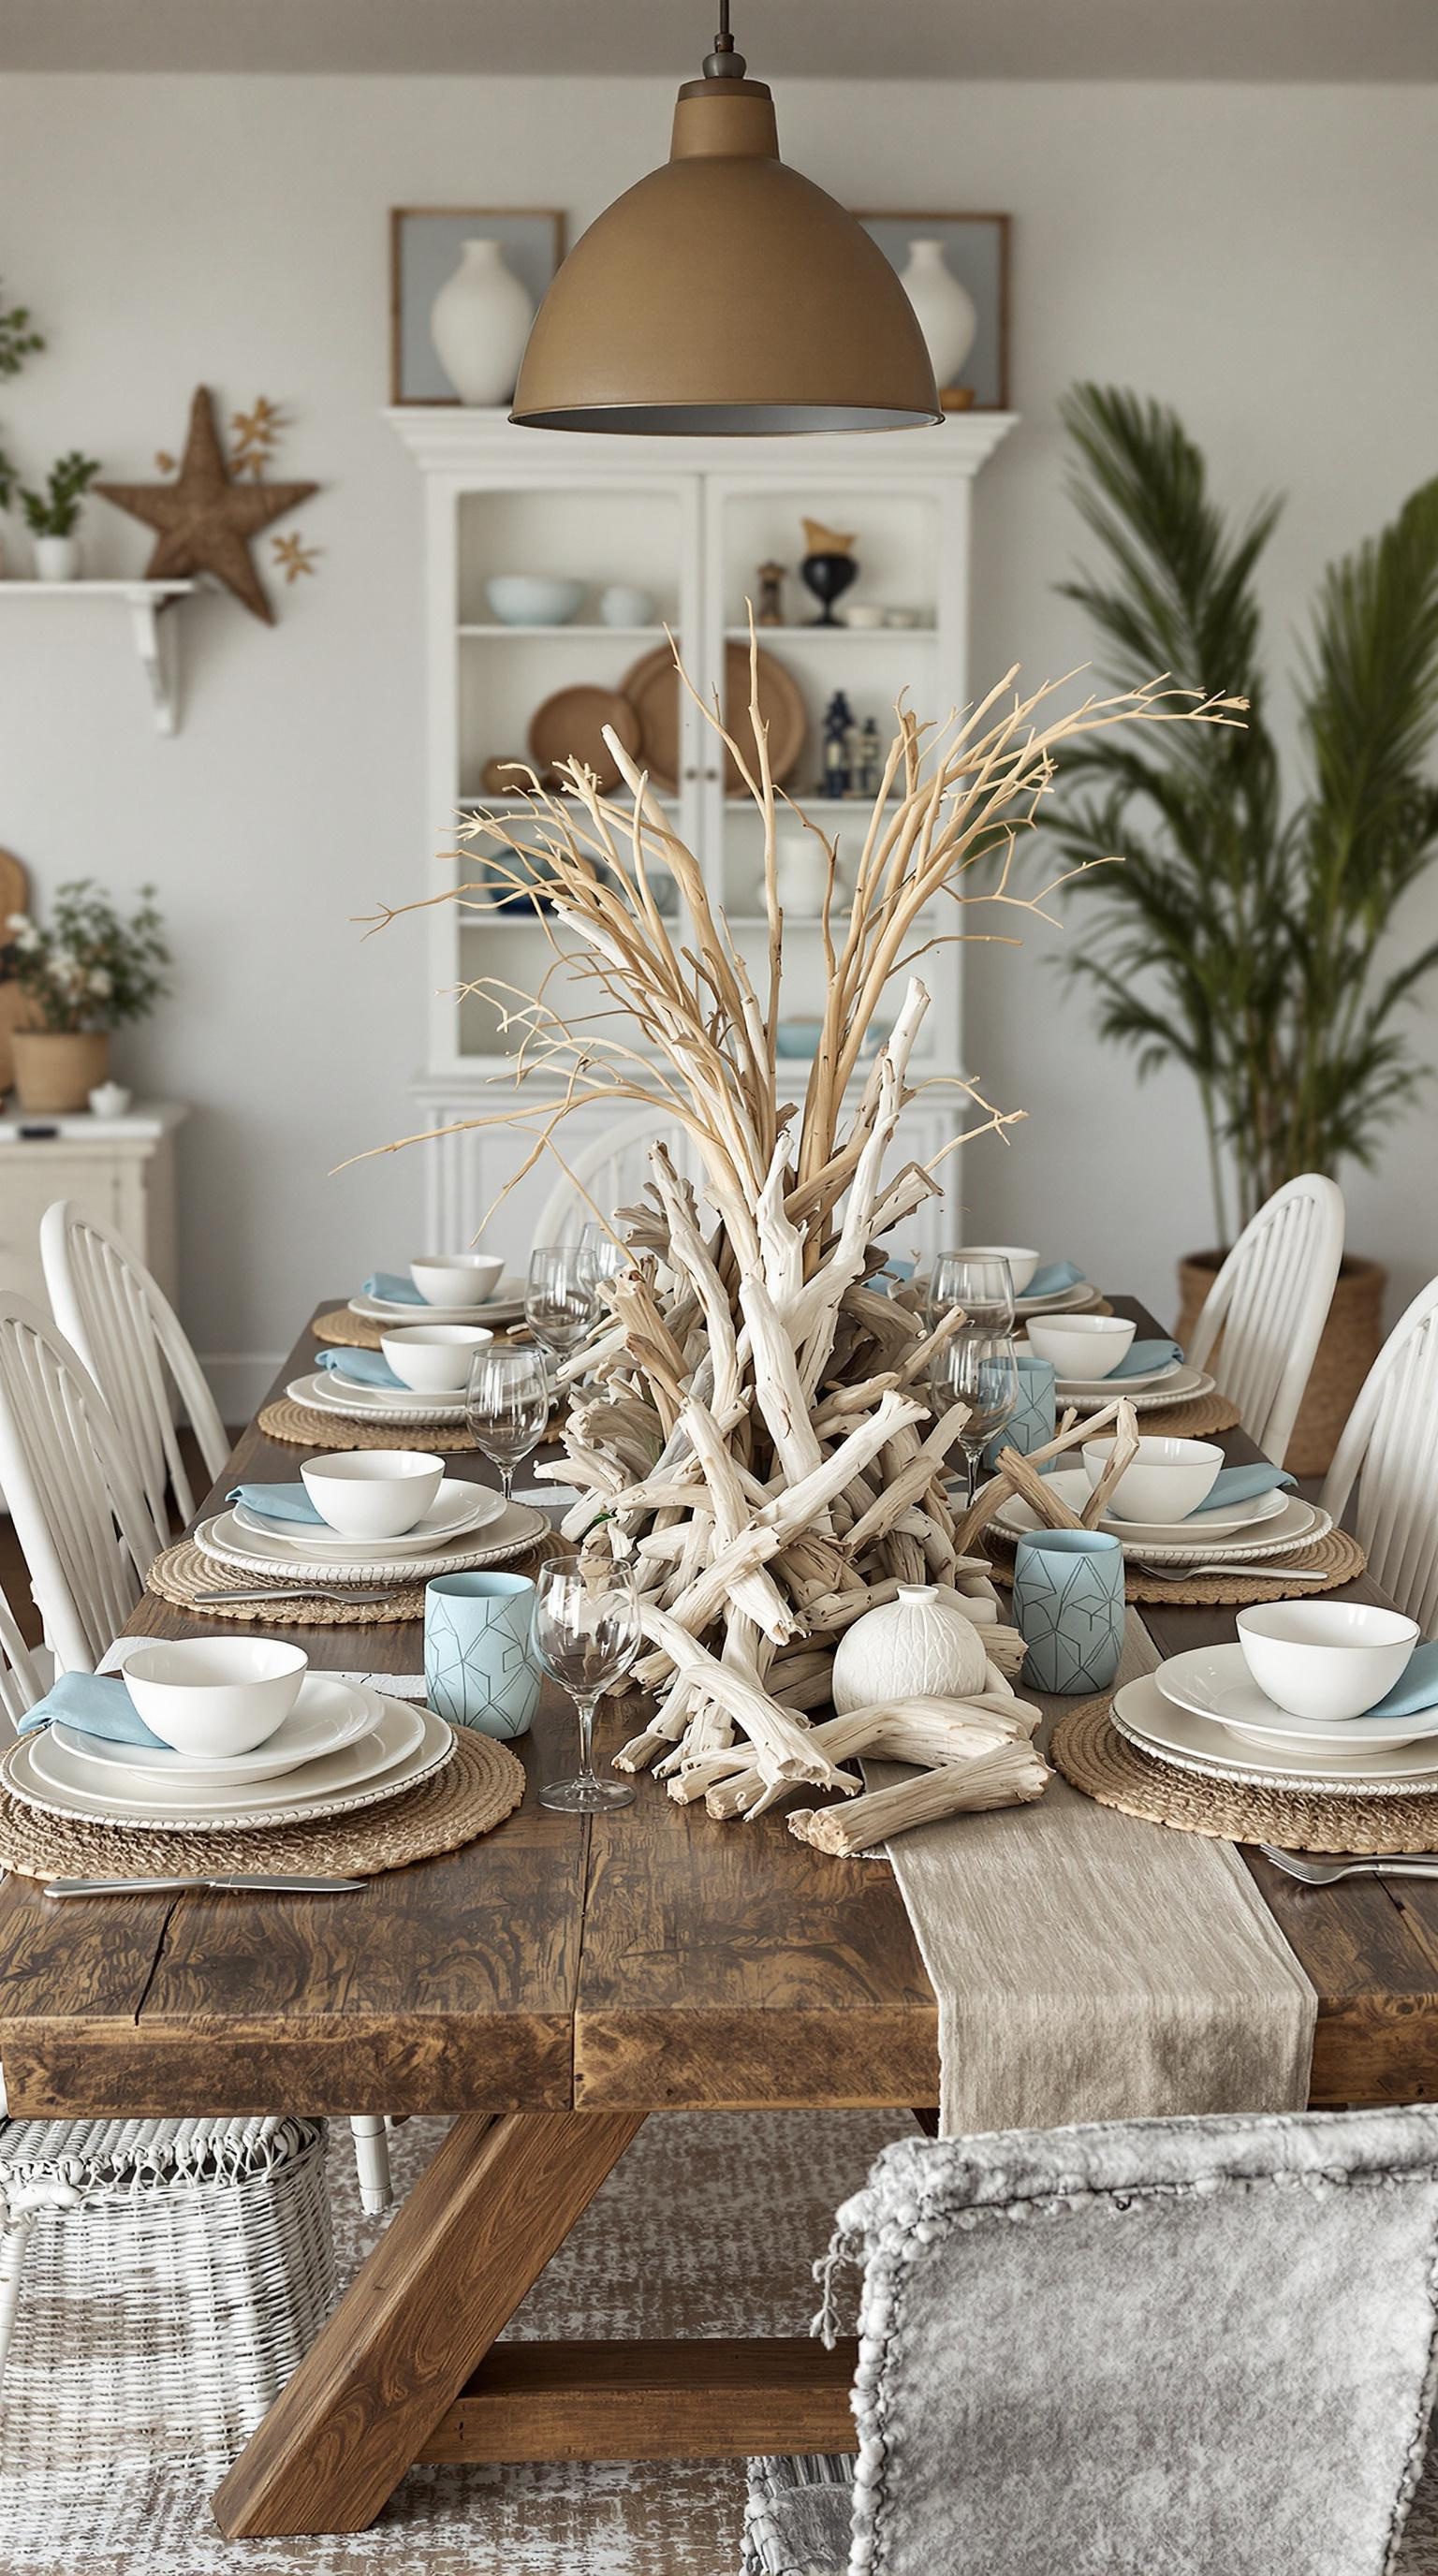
{"x": 689, "y": 522}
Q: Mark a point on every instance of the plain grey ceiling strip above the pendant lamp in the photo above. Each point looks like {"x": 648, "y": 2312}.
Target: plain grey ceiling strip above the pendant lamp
{"x": 847, "y": 40}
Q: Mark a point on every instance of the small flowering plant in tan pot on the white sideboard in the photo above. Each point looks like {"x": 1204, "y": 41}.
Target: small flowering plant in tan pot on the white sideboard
{"x": 84, "y": 975}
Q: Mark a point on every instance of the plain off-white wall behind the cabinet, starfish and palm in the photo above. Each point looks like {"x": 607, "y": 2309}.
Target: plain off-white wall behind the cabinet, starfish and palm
{"x": 1259, "y": 256}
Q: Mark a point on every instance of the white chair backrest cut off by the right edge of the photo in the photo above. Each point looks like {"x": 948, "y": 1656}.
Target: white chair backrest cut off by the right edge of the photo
{"x": 1390, "y": 1449}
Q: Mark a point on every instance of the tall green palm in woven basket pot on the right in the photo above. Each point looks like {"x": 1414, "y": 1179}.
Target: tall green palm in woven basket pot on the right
{"x": 1246, "y": 934}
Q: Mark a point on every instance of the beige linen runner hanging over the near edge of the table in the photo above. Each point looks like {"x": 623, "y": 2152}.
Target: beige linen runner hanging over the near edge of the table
{"x": 1091, "y": 1967}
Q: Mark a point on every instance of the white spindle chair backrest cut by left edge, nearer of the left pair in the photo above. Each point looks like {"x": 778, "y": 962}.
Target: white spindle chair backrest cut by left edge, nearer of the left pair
{"x": 76, "y": 1503}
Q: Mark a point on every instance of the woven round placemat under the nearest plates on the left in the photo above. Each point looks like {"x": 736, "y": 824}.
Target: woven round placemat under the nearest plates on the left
{"x": 475, "y": 1792}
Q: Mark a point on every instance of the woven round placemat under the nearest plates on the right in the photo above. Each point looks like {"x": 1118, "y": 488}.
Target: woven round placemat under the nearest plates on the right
{"x": 1097, "y": 1758}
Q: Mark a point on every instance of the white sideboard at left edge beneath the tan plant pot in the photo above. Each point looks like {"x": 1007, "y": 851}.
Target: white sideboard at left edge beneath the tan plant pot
{"x": 117, "y": 1171}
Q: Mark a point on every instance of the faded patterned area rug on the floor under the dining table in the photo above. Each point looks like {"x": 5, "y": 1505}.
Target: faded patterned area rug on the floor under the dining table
{"x": 707, "y": 2227}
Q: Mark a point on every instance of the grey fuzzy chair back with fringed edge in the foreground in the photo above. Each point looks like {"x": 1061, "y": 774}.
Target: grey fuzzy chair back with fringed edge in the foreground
{"x": 1158, "y": 2345}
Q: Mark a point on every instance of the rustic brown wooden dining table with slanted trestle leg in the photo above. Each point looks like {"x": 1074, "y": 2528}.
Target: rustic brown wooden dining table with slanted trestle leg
{"x": 553, "y": 1987}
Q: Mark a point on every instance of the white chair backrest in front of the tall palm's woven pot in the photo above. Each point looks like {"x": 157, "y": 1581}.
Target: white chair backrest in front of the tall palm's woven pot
{"x": 1272, "y": 1302}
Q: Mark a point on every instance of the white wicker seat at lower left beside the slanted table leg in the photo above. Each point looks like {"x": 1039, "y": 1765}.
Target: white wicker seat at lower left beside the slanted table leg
{"x": 169, "y": 2273}
